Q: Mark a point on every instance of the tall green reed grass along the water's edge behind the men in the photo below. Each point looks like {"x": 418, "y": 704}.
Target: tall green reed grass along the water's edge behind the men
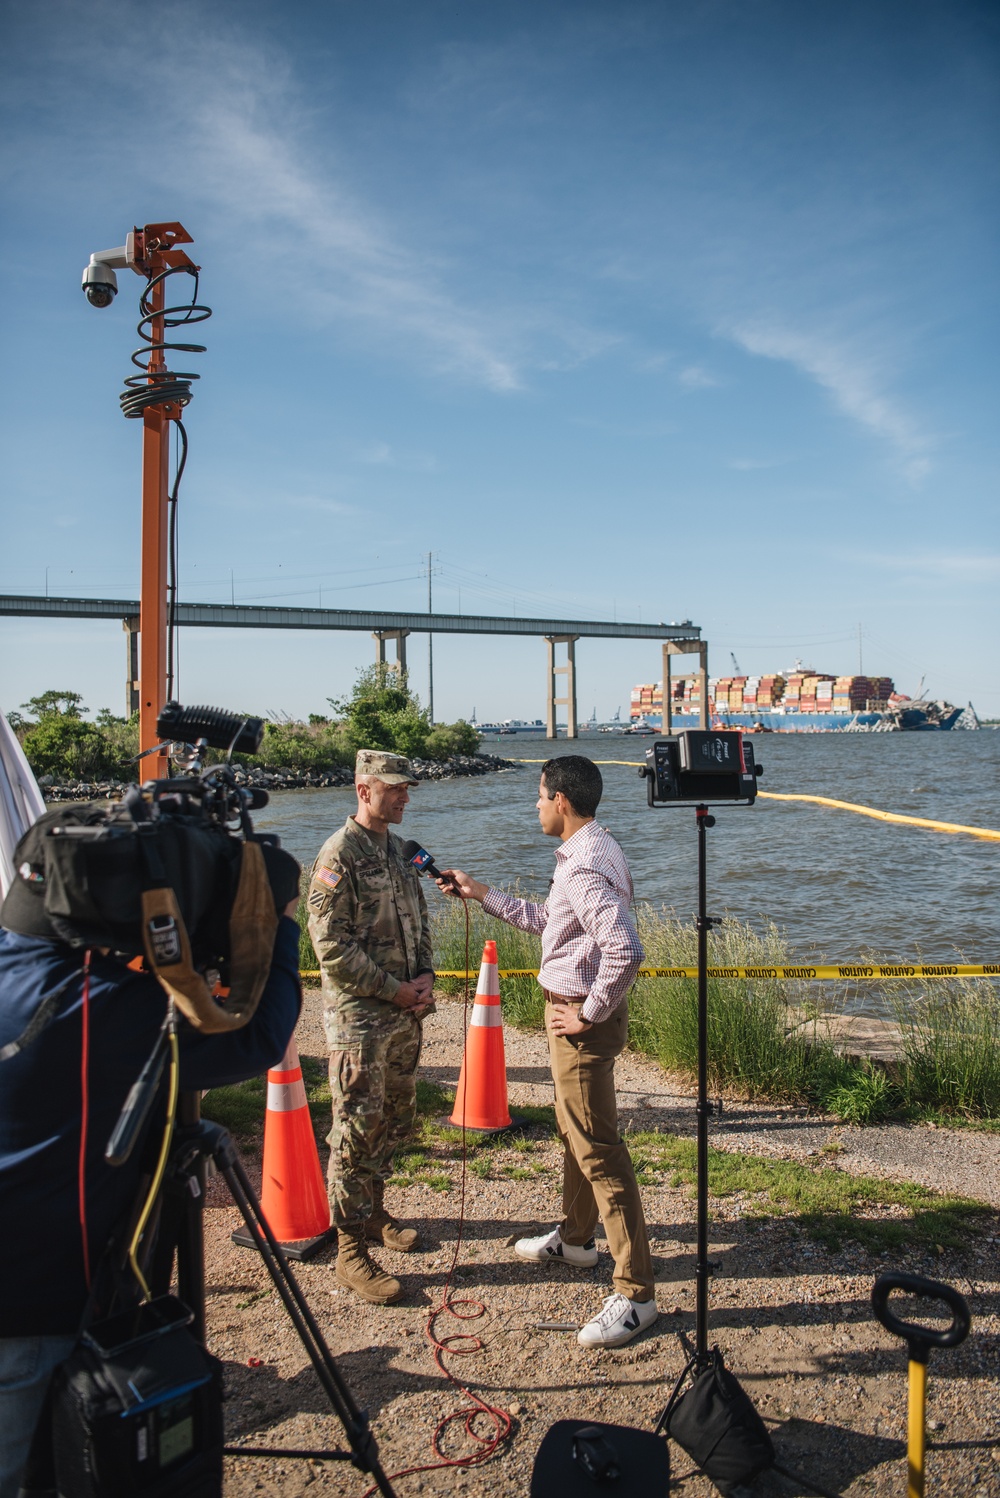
{"x": 769, "y": 1040}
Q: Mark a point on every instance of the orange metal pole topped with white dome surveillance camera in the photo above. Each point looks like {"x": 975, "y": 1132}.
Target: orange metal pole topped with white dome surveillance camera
{"x": 158, "y": 398}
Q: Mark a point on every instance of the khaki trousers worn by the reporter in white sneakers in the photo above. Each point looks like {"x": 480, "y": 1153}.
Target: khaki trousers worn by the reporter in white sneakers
{"x": 598, "y": 1175}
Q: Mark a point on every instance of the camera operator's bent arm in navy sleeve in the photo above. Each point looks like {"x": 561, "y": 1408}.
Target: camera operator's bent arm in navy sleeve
{"x": 216, "y": 1061}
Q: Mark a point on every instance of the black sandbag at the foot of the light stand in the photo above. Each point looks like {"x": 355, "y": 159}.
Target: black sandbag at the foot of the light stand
{"x": 718, "y": 1427}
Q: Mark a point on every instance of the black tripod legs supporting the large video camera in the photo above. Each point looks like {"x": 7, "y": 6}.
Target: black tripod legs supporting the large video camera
{"x": 182, "y": 1229}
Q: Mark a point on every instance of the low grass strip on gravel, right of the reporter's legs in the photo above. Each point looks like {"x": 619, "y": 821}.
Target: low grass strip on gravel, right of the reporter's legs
{"x": 829, "y": 1205}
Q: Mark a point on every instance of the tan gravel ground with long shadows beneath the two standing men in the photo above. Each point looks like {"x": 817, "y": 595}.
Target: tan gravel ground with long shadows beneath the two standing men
{"x": 793, "y": 1317}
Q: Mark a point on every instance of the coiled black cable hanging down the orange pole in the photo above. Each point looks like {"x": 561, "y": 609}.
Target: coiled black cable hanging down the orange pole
{"x": 165, "y": 389}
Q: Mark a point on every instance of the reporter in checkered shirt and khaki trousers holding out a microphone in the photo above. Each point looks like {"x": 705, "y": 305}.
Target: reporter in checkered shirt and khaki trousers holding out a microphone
{"x": 591, "y": 956}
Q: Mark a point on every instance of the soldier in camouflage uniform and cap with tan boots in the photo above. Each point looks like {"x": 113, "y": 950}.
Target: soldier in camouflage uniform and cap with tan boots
{"x": 369, "y": 924}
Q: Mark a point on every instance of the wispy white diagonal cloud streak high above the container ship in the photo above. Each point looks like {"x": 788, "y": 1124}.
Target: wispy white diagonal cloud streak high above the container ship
{"x": 853, "y": 378}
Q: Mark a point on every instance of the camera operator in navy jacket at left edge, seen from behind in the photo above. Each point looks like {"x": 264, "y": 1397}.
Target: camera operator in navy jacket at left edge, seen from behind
{"x": 76, "y": 1033}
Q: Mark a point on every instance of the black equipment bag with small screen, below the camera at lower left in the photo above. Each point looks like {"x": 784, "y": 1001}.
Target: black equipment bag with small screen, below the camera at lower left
{"x": 137, "y": 1410}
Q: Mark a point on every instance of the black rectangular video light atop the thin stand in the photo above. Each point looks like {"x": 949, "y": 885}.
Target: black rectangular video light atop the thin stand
{"x": 701, "y": 766}
